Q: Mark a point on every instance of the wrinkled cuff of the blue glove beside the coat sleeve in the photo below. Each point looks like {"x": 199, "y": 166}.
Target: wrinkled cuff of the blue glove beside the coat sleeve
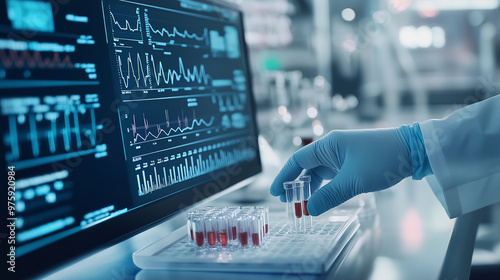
{"x": 419, "y": 159}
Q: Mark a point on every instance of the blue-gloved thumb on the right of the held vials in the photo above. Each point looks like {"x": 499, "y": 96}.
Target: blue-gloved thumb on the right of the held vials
{"x": 339, "y": 190}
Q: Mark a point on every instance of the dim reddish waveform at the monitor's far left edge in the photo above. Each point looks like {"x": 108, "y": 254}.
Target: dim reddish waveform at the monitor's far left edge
{"x": 27, "y": 59}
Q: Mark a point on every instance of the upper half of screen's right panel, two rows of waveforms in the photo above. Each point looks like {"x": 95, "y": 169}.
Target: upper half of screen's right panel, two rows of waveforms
{"x": 157, "y": 53}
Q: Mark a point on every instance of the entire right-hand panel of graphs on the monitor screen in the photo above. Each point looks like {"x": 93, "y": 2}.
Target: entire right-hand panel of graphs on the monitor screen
{"x": 184, "y": 92}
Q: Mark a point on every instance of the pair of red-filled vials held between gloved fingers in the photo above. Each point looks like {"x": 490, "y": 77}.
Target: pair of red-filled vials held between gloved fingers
{"x": 298, "y": 193}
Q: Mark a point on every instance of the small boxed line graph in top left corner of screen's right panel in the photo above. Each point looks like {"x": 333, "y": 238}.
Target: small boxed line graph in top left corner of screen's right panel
{"x": 126, "y": 23}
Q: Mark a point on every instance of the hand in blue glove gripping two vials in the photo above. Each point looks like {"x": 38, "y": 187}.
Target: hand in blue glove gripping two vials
{"x": 357, "y": 161}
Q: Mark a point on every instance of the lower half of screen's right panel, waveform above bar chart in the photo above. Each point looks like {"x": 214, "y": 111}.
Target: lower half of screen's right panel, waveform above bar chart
{"x": 173, "y": 140}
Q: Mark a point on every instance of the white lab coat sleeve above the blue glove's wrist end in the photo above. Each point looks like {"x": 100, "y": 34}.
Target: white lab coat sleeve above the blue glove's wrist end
{"x": 464, "y": 153}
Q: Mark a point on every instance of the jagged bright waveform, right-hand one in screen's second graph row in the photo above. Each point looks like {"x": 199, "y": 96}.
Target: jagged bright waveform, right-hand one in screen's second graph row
{"x": 196, "y": 74}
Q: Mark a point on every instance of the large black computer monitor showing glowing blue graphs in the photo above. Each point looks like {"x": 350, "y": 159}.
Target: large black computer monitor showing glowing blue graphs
{"x": 114, "y": 115}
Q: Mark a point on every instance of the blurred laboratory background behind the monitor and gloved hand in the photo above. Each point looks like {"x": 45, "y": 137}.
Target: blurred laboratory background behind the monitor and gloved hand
{"x": 320, "y": 65}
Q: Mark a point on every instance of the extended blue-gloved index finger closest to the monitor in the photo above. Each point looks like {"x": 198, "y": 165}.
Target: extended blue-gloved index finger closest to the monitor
{"x": 302, "y": 159}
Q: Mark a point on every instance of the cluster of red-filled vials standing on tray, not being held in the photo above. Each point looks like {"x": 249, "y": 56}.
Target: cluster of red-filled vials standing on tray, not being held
{"x": 223, "y": 227}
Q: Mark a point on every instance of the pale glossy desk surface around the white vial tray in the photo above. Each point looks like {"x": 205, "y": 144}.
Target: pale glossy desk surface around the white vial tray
{"x": 407, "y": 241}
